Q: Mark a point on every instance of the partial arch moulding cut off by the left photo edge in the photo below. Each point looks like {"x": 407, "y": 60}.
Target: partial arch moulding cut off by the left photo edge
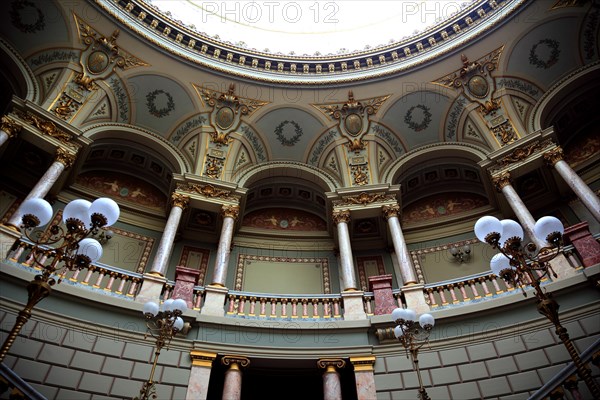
{"x": 18, "y": 74}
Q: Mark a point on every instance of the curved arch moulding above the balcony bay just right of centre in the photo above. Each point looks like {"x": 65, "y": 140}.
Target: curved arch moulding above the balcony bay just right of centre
{"x": 432, "y": 152}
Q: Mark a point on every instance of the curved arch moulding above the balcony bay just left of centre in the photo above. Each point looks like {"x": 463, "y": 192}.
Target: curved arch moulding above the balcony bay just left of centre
{"x": 141, "y": 136}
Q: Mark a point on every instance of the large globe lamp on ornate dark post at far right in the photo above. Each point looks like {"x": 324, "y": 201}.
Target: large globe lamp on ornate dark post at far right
{"x": 522, "y": 265}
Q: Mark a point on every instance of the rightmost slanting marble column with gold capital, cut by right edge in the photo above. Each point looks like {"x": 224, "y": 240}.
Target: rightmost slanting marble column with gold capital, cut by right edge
{"x": 587, "y": 196}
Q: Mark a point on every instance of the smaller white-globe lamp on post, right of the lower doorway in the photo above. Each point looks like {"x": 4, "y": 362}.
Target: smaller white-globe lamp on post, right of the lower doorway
{"x": 413, "y": 335}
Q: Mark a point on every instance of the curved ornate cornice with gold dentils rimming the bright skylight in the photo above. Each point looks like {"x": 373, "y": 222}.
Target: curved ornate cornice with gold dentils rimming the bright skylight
{"x": 178, "y": 39}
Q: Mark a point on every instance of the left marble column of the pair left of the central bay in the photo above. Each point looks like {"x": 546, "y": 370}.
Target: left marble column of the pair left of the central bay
{"x": 160, "y": 263}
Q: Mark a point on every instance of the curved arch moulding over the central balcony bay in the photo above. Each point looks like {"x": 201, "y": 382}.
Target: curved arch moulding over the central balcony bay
{"x": 292, "y": 169}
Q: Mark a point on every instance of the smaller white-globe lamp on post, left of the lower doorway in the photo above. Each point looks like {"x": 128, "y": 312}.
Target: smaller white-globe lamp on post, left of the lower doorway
{"x": 162, "y": 324}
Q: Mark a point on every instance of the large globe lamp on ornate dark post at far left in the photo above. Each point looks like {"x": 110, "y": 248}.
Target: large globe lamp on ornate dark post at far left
{"x": 59, "y": 249}
